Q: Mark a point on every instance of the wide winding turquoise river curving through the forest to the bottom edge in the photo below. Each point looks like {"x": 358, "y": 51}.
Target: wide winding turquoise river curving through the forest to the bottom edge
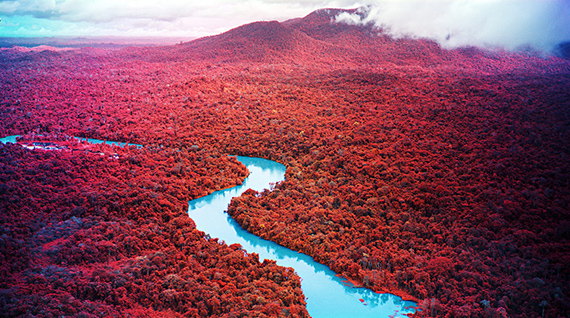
{"x": 327, "y": 294}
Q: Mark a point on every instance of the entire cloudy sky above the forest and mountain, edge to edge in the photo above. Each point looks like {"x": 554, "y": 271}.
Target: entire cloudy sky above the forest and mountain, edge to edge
{"x": 511, "y": 24}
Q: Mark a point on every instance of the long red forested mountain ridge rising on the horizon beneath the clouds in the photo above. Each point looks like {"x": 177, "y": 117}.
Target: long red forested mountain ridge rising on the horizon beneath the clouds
{"x": 317, "y": 39}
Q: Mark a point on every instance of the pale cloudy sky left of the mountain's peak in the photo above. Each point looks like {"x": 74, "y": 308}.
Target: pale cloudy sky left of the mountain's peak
{"x": 149, "y": 17}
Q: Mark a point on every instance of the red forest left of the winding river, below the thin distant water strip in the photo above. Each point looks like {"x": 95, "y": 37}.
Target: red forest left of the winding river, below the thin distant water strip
{"x": 85, "y": 234}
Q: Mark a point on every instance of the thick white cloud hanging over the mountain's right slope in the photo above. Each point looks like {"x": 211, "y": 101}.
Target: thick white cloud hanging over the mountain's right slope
{"x": 511, "y": 24}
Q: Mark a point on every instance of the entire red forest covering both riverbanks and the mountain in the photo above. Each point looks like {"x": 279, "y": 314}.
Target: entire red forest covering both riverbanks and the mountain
{"x": 438, "y": 175}
